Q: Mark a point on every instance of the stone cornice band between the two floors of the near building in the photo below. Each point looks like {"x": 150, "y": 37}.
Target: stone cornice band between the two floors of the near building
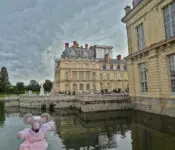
{"x": 151, "y": 47}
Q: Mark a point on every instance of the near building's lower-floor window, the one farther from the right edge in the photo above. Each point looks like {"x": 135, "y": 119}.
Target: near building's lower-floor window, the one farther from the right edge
{"x": 143, "y": 78}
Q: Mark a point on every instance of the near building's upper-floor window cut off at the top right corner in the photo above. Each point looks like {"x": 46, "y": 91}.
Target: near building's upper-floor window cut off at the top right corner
{"x": 169, "y": 20}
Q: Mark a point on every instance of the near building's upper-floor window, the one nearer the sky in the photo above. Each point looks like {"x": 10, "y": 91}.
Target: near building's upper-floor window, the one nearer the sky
{"x": 140, "y": 37}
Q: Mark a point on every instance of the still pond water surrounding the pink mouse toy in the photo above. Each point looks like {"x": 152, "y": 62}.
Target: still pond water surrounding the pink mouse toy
{"x": 115, "y": 130}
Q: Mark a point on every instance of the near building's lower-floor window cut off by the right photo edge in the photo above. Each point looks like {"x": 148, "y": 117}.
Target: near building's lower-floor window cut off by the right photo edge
{"x": 172, "y": 71}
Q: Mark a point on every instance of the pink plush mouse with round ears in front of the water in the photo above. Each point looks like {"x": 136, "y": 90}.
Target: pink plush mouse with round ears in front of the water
{"x": 34, "y": 137}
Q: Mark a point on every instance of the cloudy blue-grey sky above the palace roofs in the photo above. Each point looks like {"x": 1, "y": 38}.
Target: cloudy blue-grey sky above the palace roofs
{"x": 33, "y": 32}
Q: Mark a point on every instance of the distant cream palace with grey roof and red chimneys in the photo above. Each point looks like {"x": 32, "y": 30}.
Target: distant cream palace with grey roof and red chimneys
{"x": 78, "y": 70}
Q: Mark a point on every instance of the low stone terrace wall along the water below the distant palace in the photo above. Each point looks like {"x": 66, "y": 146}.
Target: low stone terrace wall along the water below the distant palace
{"x": 87, "y": 103}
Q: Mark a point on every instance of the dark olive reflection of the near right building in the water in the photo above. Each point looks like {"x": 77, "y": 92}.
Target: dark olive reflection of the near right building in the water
{"x": 151, "y": 132}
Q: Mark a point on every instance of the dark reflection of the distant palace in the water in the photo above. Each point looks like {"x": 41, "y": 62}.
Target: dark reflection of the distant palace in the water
{"x": 85, "y": 132}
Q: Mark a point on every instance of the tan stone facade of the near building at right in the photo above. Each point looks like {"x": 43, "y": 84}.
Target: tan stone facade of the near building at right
{"x": 151, "y": 47}
